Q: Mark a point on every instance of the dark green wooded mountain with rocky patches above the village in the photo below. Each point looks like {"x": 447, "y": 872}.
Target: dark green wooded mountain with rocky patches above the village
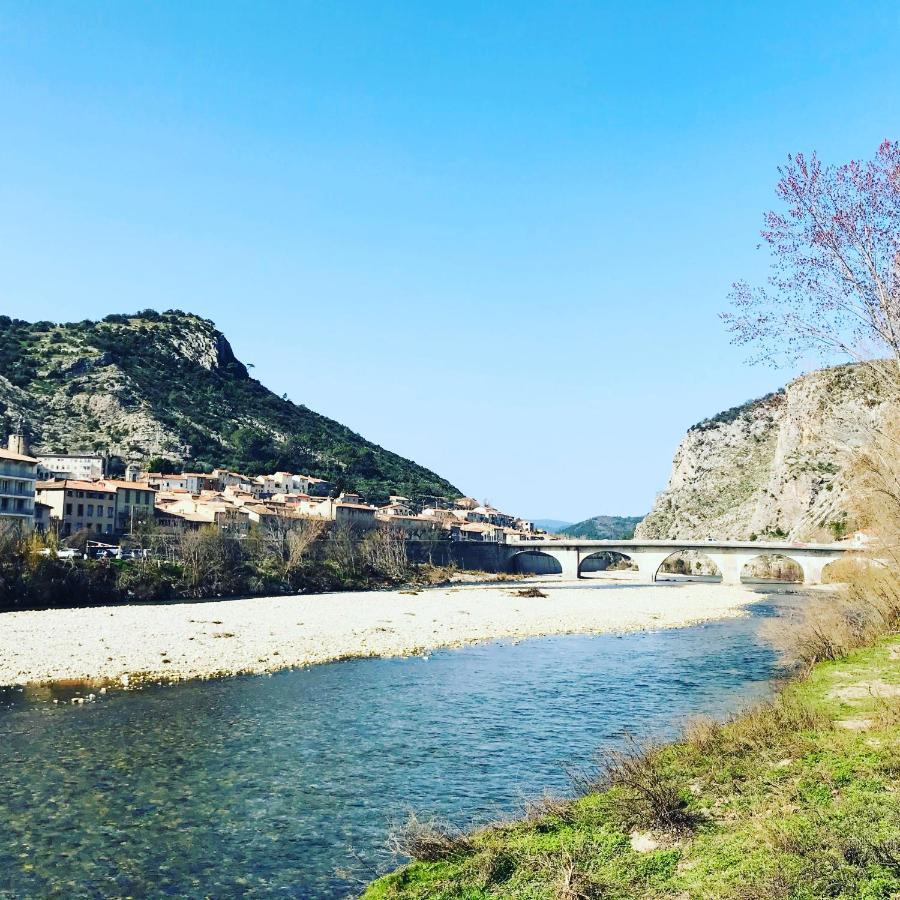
{"x": 168, "y": 385}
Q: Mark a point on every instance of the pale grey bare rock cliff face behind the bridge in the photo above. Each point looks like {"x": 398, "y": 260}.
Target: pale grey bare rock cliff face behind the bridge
{"x": 776, "y": 467}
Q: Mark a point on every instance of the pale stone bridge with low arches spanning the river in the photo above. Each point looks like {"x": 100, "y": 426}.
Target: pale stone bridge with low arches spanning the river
{"x": 730, "y": 557}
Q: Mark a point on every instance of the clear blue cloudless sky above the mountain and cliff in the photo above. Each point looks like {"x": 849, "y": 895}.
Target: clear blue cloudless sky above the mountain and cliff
{"x": 491, "y": 236}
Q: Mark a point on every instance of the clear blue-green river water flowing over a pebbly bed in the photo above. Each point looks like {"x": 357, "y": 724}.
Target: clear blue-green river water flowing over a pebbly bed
{"x": 286, "y": 785}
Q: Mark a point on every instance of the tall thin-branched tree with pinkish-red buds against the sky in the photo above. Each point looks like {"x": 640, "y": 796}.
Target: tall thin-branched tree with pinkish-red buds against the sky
{"x": 834, "y": 286}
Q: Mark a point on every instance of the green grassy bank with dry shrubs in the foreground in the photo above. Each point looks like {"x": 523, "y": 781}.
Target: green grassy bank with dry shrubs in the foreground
{"x": 789, "y": 804}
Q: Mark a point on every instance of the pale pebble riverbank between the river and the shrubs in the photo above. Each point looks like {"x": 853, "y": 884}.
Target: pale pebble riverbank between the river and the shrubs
{"x": 177, "y": 641}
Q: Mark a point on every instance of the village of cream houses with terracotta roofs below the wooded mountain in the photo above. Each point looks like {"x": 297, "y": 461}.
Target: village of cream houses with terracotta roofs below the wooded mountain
{"x": 70, "y": 495}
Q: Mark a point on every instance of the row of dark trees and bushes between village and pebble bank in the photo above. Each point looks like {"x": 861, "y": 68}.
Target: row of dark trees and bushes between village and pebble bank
{"x": 305, "y": 556}
